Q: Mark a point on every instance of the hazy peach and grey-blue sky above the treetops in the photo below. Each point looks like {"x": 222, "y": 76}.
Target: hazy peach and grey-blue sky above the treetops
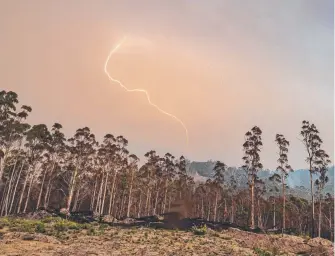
{"x": 221, "y": 67}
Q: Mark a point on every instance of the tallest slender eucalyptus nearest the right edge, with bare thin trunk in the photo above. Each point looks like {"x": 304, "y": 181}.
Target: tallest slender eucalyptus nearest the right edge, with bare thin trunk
{"x": 312, "y": 142}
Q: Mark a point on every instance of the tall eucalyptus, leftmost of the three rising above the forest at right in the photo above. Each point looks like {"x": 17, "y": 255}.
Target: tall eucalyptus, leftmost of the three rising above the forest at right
{"x": 252, "y": 164}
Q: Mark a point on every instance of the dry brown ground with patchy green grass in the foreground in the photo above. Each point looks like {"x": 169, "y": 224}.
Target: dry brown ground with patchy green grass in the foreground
{"x": 147, "y": 241}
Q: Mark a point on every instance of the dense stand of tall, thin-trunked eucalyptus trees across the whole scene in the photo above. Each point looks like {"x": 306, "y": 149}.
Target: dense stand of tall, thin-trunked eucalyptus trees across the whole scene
{"x": 41, "y": 168}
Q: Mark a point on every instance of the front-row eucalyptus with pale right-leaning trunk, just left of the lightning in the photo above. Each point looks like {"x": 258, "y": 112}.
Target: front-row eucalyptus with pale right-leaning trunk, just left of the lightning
{"x": 81, "y": 148}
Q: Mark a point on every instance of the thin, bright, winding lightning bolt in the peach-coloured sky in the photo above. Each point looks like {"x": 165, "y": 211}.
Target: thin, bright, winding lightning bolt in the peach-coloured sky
{"x": 140, "y": 89}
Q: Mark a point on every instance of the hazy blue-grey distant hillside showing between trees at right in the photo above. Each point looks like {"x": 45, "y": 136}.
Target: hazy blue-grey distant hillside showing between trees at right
{"x": 298, "y": 181}
